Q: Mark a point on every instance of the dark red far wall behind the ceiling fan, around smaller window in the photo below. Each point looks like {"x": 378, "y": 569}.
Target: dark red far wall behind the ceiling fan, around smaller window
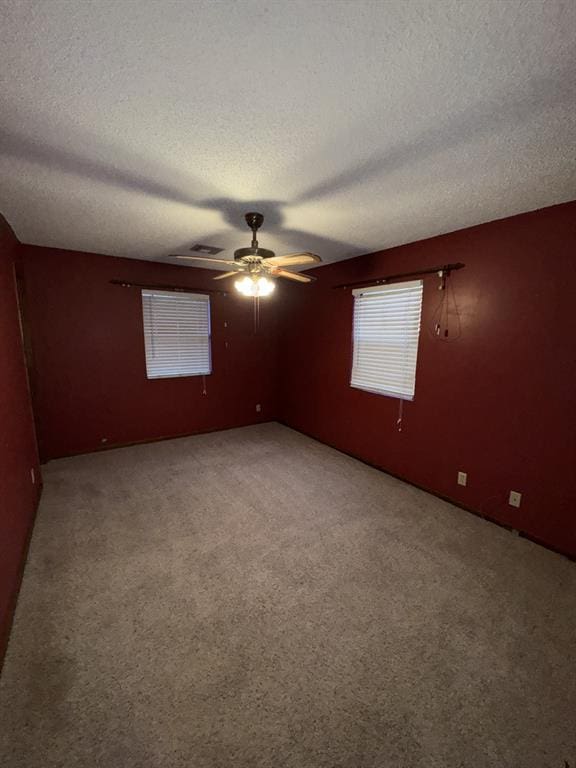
{"x": 90, "y": 379}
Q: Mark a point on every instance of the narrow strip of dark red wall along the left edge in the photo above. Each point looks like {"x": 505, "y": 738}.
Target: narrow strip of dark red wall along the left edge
{"x": 18, "y": 496}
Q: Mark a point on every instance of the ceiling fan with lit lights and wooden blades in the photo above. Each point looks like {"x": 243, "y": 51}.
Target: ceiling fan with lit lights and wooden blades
{"x": 259, "y": 264}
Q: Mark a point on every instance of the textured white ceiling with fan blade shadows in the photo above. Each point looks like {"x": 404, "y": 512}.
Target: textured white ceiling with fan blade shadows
{"x": 140, "y": 127}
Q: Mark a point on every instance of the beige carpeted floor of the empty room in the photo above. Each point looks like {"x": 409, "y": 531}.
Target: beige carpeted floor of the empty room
{"x": 254, "y": 599}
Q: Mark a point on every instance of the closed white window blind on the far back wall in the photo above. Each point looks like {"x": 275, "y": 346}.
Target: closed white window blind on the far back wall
{"x": 176, "y": 333}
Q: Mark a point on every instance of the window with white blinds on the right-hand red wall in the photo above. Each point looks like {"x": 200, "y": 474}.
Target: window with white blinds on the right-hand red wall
{"x": 386, "y": 329}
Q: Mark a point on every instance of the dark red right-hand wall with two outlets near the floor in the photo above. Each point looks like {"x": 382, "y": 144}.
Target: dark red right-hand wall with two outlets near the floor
{"x": 499, "y": 403}
